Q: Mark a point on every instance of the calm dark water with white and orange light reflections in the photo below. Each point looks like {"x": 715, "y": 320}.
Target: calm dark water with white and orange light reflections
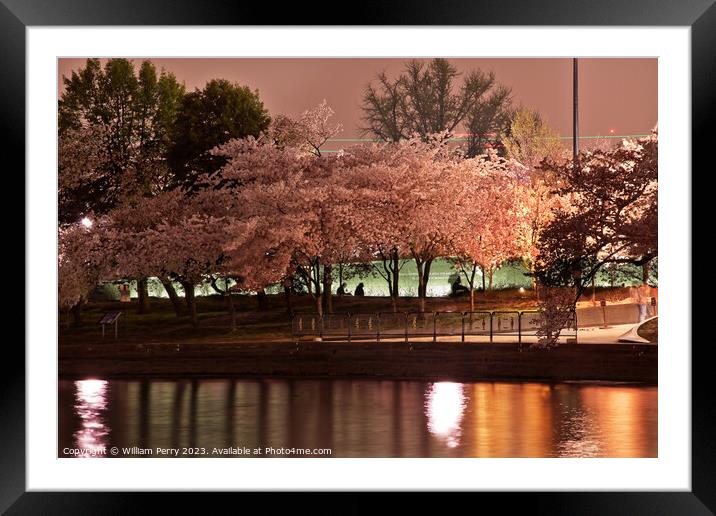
{"x": 356, "y": 418}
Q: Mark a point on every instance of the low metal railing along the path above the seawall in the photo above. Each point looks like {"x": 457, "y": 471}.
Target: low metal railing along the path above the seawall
{"x": 488, "y": 325}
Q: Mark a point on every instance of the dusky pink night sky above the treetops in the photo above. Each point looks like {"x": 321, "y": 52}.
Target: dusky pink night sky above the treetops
{"x": 615, "y": 94}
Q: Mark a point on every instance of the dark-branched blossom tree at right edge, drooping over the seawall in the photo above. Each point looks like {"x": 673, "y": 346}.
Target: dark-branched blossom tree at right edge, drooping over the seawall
{"x": 611, "y": 219}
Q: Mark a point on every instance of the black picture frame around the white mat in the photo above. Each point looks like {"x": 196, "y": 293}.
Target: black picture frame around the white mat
{"x": 17, "y": 15}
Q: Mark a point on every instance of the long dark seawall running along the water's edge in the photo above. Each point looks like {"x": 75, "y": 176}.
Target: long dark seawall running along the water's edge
{"x": 444, "y": 361}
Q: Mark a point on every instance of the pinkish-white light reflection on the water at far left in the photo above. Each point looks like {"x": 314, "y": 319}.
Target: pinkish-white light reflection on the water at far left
{"x": 90, "y": 406}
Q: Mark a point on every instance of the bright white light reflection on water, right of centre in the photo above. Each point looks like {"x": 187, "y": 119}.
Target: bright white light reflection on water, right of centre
{"x": 445, "y": 406}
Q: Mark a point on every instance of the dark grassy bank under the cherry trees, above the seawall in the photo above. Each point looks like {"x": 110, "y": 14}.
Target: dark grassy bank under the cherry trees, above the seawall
{"x": 161, "y": 325}
